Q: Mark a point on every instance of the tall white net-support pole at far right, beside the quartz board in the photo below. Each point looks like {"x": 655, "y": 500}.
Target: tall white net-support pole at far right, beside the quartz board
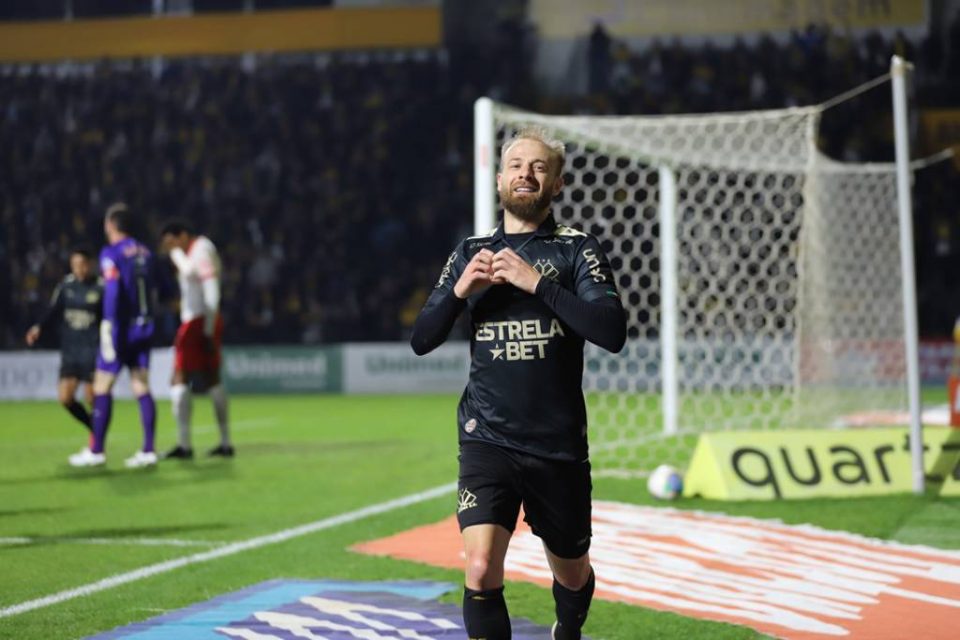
{"x": 898, "y": 71}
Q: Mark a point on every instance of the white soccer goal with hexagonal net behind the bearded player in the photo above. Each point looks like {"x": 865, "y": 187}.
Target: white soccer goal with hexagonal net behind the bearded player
{"x": 764, "y": 283}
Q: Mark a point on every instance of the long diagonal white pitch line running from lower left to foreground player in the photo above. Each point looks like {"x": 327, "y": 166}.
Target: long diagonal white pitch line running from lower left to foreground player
{"x": 227, "y": 550}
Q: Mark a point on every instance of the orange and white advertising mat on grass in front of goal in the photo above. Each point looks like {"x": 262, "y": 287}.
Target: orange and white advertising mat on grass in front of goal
{"x": 795, "y": 582}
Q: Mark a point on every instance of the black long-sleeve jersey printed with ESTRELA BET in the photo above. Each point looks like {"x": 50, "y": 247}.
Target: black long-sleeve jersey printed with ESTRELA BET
{"x": 526, "y": 373}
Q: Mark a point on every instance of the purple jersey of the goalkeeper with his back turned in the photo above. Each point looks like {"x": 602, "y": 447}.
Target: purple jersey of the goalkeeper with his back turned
{"x": 129, "y": 279}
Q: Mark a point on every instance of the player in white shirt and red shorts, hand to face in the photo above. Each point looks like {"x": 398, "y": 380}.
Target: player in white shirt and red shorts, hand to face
{"x": 197, "y": 357}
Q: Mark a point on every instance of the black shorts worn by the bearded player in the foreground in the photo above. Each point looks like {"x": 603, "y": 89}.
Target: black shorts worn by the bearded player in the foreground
{"x": 555, "y": 494}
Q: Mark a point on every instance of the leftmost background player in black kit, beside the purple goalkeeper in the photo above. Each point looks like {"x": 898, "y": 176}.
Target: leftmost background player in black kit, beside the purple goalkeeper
{"x": 76, "y": 307}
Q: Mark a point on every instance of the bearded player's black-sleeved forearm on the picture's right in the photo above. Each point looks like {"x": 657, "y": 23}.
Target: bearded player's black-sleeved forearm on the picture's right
{"x": 602, "y": 322}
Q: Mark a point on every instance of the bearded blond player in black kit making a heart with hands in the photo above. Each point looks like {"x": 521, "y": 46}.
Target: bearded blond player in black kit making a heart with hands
{"x": 534, "y": 291}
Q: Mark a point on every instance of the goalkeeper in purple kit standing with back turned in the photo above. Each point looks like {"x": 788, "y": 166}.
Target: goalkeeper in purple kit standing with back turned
{"x": 126, "y": 332}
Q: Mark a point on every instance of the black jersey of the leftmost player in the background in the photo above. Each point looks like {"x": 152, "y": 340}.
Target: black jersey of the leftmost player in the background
{"x": 77, "y": 306}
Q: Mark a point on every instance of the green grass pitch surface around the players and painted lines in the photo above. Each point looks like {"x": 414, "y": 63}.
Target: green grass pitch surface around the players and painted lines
{"x": 300, "y": 459}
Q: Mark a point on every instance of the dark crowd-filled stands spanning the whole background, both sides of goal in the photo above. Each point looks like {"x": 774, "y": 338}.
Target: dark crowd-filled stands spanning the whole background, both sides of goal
{"x": 335, "y": 184}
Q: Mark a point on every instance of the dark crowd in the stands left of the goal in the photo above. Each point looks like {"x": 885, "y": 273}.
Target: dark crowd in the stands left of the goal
{"x": 325, "y": 185}
